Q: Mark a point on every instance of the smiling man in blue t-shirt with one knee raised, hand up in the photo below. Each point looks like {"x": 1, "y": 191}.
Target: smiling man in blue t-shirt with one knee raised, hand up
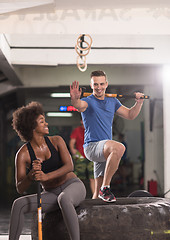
{"x": 97, "y": 114}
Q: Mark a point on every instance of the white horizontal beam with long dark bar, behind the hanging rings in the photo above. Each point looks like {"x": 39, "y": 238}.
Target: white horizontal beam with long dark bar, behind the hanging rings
{"x": 53, "y": 50}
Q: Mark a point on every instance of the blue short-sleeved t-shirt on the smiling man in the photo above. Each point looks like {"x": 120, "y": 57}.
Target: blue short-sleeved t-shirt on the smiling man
{"x": 98, "y": 118}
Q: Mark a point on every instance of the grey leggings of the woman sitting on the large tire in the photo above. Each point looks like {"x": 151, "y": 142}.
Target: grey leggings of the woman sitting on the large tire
{"x": 66, "y": 197}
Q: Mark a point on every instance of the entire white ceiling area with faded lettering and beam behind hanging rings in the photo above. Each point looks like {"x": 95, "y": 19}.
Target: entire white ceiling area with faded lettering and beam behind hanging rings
{"x": 44, "y": 33}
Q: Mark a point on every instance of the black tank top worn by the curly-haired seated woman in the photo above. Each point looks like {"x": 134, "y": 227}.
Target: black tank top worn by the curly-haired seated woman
{"x": 48, "y": 165}
